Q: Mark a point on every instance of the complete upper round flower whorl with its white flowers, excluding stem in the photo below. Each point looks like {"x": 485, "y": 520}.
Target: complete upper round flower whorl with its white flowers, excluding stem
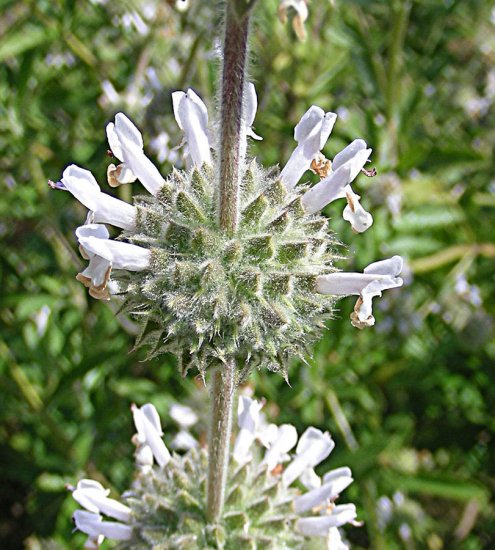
{"x": 260, "y": 296}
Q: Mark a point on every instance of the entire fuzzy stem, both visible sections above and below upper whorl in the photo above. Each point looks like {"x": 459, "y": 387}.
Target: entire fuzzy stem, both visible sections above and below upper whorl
{"x": 231, "y": 99}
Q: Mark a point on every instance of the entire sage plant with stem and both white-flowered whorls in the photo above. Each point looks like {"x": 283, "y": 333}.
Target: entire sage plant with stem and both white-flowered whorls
{"x": 230, "y": 266}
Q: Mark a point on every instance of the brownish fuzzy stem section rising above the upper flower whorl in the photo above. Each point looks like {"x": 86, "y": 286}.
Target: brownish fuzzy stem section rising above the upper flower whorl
{"x": 233, "y": 72}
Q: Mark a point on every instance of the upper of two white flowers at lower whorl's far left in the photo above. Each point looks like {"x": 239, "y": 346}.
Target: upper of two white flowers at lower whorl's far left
{"x": 94, "y": 497}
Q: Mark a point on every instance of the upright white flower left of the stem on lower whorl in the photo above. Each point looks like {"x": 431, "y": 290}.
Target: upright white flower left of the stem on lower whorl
{"x": 149, "y": 435}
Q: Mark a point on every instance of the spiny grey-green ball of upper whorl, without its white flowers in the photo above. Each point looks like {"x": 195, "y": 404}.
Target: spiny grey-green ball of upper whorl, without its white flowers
{"x": 208, "y": 297}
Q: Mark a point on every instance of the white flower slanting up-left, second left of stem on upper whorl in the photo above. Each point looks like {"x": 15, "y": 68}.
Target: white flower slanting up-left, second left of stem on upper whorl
{"x": 128, "y": 144}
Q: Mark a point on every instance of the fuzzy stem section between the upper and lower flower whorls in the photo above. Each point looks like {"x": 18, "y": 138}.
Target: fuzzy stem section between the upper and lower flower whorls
{"x": 222, "y": 407}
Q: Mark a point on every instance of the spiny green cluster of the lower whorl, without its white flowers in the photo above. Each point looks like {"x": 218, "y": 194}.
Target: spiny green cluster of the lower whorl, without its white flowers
{"x": 168, "y": 509}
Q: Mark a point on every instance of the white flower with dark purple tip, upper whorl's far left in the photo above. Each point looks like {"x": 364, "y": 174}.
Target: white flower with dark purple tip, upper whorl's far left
{"x": 106, "y": 209}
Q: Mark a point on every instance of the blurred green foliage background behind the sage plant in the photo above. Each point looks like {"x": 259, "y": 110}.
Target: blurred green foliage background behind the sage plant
{"x": 409, "y": 402}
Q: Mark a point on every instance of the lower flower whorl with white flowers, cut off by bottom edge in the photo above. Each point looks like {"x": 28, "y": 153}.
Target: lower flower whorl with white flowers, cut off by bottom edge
{"x": 274, "y": 497}
